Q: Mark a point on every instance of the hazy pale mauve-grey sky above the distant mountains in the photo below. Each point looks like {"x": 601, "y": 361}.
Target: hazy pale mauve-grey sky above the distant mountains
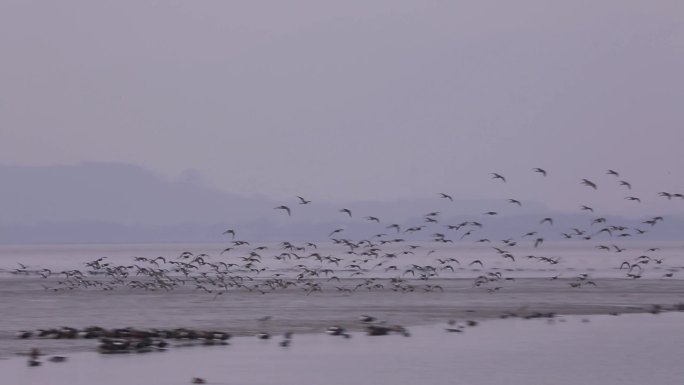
{"x": 351, "y": 99}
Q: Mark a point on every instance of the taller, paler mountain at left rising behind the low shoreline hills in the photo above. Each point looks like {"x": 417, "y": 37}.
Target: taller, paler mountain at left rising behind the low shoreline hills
{"x": 119, "y": 193}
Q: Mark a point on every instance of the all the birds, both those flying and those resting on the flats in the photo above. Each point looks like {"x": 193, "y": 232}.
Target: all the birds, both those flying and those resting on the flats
{"x": 421, "y": 256}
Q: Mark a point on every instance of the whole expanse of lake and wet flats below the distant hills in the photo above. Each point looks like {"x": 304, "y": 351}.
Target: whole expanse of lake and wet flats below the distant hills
{"x": 509, "y": 351}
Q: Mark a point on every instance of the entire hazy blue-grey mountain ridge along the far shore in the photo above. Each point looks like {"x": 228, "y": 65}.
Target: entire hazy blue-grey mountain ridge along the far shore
{"x": 122, "y": 203}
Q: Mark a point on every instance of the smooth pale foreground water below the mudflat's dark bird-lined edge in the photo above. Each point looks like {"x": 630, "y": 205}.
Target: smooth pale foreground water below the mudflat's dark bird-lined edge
{"x": 629, "y": 349}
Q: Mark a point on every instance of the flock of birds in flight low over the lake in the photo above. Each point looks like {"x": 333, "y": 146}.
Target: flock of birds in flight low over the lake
{"x": 373, "y": 263}
